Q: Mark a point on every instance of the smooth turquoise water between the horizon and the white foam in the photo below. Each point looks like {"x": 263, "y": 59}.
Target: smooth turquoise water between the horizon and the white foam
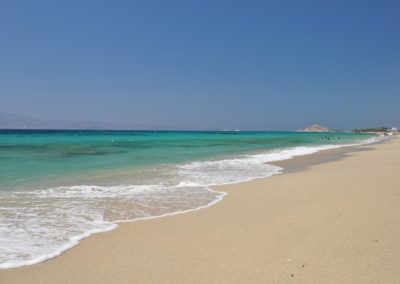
{"x": 36, "y": 155}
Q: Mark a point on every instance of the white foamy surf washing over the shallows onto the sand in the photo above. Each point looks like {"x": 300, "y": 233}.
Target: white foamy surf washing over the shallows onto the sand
{"x": 40, "y": 224}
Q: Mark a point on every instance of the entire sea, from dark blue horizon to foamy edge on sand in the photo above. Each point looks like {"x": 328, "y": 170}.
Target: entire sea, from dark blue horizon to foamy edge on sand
{"x": 59, "y": 187}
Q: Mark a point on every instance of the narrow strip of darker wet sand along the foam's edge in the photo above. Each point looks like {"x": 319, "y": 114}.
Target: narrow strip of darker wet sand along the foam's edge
{"x": 296, "y": 165}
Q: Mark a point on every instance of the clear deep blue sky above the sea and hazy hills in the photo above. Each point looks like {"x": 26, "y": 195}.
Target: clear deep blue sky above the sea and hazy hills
{"x": 268, "y": 65}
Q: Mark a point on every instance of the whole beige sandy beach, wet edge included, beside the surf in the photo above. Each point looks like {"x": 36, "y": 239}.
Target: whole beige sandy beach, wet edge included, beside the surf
{"x": 330, "y": 218}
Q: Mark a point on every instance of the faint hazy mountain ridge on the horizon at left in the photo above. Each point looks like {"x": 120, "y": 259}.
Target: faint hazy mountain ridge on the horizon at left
{"x": 14, "y": 121}
